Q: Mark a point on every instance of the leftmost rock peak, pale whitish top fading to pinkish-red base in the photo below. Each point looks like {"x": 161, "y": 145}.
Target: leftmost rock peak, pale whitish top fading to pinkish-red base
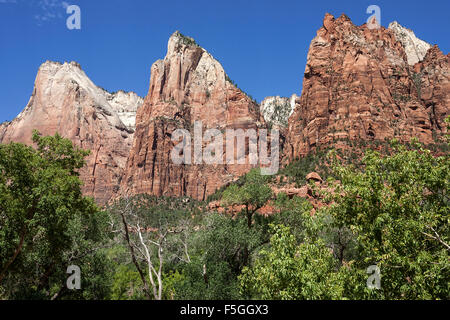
{"x": 66, "y": 101}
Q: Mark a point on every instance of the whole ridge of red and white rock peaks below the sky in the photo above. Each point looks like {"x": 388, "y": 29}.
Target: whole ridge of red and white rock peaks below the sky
{"x": 358, "y": 84}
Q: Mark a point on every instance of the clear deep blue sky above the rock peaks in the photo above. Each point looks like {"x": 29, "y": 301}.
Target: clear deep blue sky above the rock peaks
{"x": 261, "y": 44}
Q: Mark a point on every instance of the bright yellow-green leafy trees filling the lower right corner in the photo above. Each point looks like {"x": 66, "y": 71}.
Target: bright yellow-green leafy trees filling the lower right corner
{"x": 393, "y": 213}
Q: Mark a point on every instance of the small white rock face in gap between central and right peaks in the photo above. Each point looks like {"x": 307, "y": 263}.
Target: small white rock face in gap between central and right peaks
{"x": 277, "y": 110}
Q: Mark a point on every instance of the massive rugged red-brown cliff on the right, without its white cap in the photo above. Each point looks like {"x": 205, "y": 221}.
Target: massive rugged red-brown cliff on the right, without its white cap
{"x": 358, "y": 85}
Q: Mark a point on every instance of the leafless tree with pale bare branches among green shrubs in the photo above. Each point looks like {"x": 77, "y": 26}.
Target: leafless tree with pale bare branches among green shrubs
{"x": 156, "y": 232}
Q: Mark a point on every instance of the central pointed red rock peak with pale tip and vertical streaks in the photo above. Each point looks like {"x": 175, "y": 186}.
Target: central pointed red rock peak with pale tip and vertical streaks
{"x": 188, "y": 85}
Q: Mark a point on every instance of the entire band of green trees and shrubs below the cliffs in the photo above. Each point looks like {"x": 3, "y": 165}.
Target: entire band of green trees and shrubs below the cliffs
{"x": 388, "y": 211}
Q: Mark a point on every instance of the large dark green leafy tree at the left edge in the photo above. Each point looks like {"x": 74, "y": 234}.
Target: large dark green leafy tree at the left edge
{"x": 45, "y": 222}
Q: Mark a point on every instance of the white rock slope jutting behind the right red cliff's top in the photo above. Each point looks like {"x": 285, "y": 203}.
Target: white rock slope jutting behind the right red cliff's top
{"x": 415, "y": 48}
